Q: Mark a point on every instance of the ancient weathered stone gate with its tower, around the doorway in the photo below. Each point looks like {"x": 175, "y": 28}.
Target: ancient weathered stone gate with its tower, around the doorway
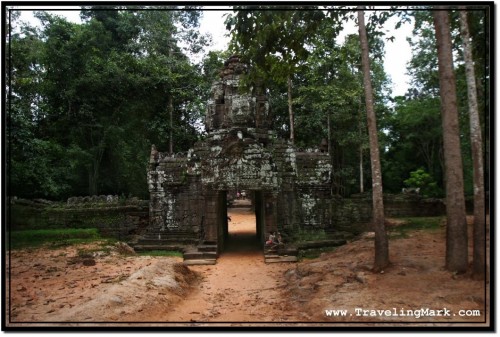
{"x": 290, "y": 189}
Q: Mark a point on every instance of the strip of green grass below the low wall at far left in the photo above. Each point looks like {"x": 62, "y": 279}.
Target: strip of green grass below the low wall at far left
{"x": 54, "y": 238}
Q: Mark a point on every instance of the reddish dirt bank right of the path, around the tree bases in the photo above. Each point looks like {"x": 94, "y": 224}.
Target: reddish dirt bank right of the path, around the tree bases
{"x": 415, "y": 280}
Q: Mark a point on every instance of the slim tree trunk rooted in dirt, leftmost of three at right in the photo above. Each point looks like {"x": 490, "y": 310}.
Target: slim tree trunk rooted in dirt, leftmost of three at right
{"x": 381, "y": 242}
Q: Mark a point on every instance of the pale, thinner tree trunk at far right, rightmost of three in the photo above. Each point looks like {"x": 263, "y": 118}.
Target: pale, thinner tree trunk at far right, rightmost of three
{"x": 478, "y": 256}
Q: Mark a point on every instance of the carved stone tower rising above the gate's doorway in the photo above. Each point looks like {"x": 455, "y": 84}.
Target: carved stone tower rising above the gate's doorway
{"x": 237, "y": 136}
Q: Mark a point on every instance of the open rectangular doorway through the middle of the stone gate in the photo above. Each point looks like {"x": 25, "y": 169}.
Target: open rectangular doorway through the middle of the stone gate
{"x": 243, "y": 226}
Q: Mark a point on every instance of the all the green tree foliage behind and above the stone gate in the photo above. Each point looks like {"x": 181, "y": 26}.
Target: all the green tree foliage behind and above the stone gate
{"x": 88, "y": 100}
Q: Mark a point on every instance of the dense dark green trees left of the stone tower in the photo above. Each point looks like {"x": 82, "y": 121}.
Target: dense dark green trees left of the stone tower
{"x": 89, "y": 99}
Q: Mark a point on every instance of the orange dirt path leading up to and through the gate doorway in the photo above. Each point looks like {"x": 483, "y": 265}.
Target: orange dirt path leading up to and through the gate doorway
{"x": 239, "y": 288}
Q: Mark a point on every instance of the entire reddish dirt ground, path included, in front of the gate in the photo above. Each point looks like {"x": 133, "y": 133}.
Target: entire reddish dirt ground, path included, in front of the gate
{"x": 54, "y": 287}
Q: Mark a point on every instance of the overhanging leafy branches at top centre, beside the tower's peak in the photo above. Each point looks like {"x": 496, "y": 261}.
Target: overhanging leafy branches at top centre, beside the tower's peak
{"x": 272, "y": 39}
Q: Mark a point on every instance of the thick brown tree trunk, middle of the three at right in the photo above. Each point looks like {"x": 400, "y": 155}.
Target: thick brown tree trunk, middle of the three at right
{"x": 456, "y": 228}
